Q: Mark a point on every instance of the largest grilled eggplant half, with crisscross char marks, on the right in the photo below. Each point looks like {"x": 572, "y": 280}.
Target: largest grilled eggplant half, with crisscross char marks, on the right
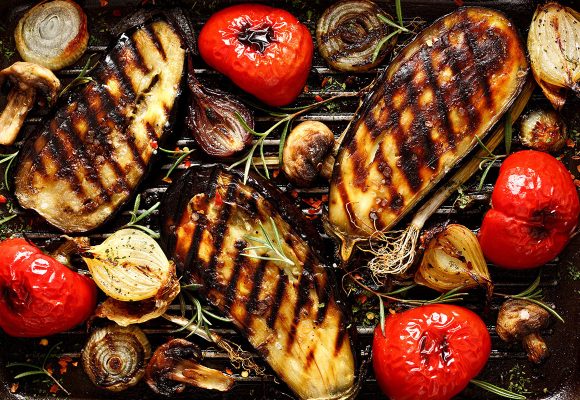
{"x": 451, "y": 84}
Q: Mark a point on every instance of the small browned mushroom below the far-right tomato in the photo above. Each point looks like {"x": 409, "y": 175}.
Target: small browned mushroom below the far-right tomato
{"x": 522, "y": 320}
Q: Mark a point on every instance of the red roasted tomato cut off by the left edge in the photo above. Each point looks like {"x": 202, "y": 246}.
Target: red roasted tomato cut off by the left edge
{"x": 38, "y": 295}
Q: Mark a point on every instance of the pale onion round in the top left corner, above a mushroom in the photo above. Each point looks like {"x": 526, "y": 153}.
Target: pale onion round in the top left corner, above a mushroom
{"x": 53, "y": 34}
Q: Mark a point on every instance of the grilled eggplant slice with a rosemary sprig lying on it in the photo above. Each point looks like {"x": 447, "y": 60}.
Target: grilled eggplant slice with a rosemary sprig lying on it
{"x": 289, "y": 313}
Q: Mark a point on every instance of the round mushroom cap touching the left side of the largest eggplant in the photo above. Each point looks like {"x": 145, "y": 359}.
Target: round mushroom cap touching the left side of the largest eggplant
{"x": 307, "y": 153}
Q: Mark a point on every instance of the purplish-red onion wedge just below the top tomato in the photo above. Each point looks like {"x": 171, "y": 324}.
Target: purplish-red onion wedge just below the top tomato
{"x": 212, "y": 119}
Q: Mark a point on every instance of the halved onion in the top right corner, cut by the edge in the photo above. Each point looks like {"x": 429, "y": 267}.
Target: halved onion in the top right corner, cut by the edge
{"x": 554, "y": 52}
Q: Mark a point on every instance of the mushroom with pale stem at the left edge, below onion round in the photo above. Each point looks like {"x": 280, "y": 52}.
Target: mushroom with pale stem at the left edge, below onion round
{"x": 26, "y": 80}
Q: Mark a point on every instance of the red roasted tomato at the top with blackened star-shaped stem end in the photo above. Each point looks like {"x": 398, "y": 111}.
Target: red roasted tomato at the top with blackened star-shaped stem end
{"x": 263, "y": 50}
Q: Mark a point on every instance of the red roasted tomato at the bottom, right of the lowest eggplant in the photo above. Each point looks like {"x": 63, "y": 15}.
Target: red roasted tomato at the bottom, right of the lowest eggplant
{"x": 429, "y": 352}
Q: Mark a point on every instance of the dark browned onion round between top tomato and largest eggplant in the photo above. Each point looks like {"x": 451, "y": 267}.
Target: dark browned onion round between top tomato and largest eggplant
{"x": 348, "y": 34}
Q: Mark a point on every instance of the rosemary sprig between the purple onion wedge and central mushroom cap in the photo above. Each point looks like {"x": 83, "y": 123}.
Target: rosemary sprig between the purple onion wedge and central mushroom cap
{"x": 286, "y": 117}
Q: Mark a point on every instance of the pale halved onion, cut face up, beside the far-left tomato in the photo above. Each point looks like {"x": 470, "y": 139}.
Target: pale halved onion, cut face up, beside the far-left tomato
{"x": 129, "y": 266}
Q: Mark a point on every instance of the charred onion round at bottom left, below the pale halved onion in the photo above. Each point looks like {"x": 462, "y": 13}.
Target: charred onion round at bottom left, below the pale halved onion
{"x": 115, "y": 357}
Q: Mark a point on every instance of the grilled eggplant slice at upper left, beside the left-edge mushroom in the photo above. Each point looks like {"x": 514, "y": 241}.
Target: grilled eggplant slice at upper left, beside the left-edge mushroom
{"x": 86, "y": 161}
